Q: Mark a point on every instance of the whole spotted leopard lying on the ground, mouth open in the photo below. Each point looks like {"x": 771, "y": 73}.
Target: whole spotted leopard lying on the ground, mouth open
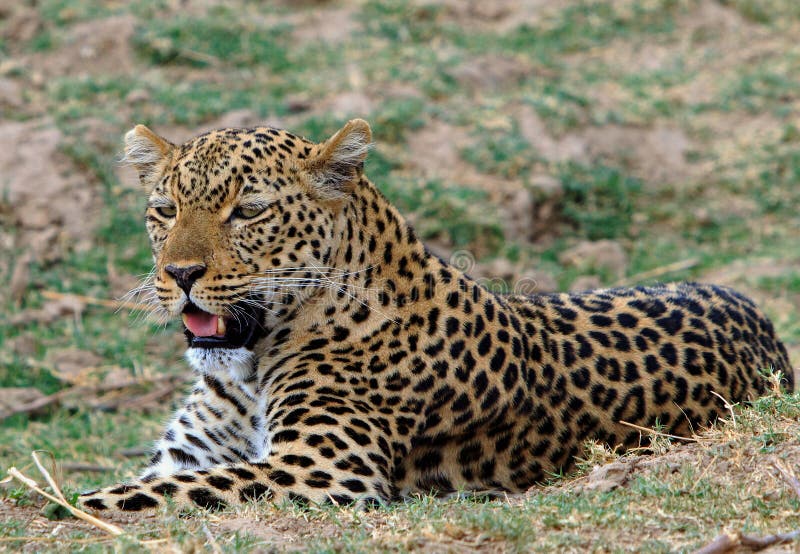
{"x": 339, "y": 361}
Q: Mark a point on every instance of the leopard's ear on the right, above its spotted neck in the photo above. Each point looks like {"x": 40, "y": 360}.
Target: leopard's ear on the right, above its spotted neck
{"x": 339, "y": 163}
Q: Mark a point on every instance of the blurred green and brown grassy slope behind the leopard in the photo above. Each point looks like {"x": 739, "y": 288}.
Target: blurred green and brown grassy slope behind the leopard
{"x": 561, "y": 144}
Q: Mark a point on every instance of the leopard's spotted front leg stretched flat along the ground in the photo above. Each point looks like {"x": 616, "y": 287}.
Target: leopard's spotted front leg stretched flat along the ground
{"x": 316, "y": 460}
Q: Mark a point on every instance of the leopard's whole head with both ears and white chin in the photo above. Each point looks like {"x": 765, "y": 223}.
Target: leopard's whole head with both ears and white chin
{"x": 235, "y": 214}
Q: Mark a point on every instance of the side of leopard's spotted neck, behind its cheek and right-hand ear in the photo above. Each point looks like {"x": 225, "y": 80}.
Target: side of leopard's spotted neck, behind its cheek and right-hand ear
{"x": 381, "y": 274}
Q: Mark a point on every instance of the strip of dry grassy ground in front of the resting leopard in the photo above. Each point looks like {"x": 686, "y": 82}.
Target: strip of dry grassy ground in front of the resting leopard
{"x": 732, "y": 478}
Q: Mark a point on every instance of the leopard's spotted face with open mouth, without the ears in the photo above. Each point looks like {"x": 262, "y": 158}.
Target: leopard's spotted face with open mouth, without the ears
{"x": 222, "y": 221}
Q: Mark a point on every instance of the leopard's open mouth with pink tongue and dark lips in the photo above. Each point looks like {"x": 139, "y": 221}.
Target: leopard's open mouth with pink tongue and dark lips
{"x": 207, "y": 330}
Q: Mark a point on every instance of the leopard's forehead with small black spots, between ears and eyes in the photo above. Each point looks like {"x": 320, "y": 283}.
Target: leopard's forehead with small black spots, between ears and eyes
{"x": 215, "y": 167}
